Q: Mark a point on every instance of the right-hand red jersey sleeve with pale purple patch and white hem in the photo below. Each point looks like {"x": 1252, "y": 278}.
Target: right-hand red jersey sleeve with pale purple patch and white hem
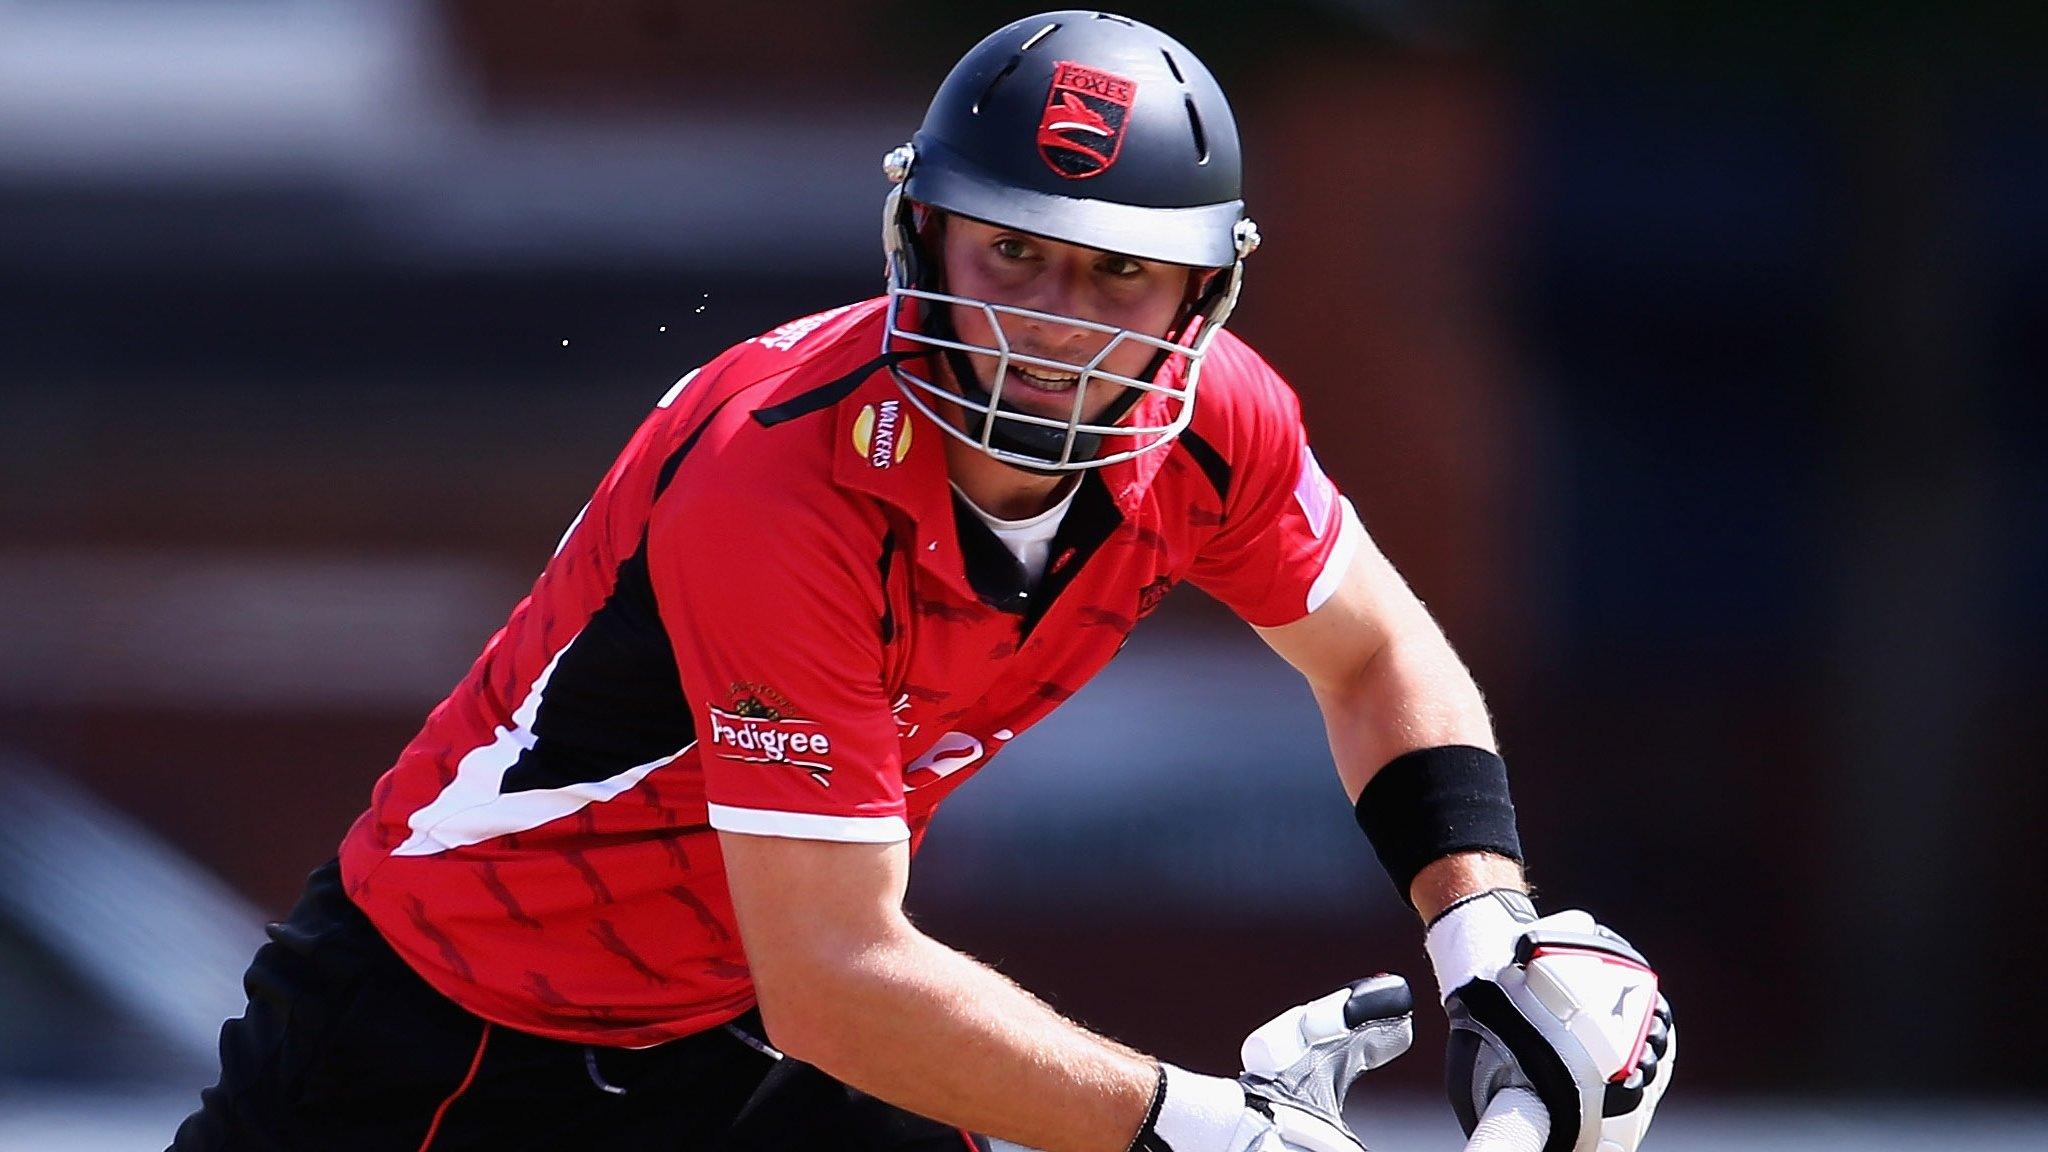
{"x": 1287, "y": 534}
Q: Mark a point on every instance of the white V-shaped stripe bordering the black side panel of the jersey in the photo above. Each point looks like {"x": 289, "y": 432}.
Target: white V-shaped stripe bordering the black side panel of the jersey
{"x": 472, "y": 809}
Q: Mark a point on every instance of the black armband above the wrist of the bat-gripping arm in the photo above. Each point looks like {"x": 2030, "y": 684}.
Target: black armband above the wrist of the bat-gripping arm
{"x": 1431, "y": 805}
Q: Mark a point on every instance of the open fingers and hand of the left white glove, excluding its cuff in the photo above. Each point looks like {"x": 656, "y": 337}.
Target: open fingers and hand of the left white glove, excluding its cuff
{"x": 1310, "y": 1057}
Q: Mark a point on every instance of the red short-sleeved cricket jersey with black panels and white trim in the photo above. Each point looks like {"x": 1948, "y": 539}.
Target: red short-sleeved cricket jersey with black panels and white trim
{"x": 773, "y": 618}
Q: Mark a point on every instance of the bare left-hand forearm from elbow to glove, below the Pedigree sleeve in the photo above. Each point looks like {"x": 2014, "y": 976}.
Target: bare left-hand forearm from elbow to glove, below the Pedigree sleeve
{"x": 949, "y": 1038}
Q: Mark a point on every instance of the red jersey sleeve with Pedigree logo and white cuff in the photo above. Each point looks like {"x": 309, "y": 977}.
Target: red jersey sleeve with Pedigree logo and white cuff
{"x": 775, "y": 614}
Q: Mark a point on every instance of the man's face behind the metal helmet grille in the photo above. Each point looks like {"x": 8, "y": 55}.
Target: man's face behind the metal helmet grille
{"x": 1019, "y": 270}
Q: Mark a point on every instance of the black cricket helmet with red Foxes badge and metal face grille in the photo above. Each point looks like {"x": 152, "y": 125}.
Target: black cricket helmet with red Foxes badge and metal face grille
{"x": 1093, "y": 130}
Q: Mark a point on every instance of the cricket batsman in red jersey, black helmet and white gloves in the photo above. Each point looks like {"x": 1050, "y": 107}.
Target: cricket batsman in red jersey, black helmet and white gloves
{"x": 638, "y": 882}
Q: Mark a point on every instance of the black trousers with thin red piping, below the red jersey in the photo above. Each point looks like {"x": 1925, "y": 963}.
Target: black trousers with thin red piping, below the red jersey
{"x": 345, "y": 1048}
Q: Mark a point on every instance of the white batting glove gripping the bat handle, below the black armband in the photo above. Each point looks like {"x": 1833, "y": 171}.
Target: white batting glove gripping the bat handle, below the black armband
{"x": 1558, "y": 1005}
